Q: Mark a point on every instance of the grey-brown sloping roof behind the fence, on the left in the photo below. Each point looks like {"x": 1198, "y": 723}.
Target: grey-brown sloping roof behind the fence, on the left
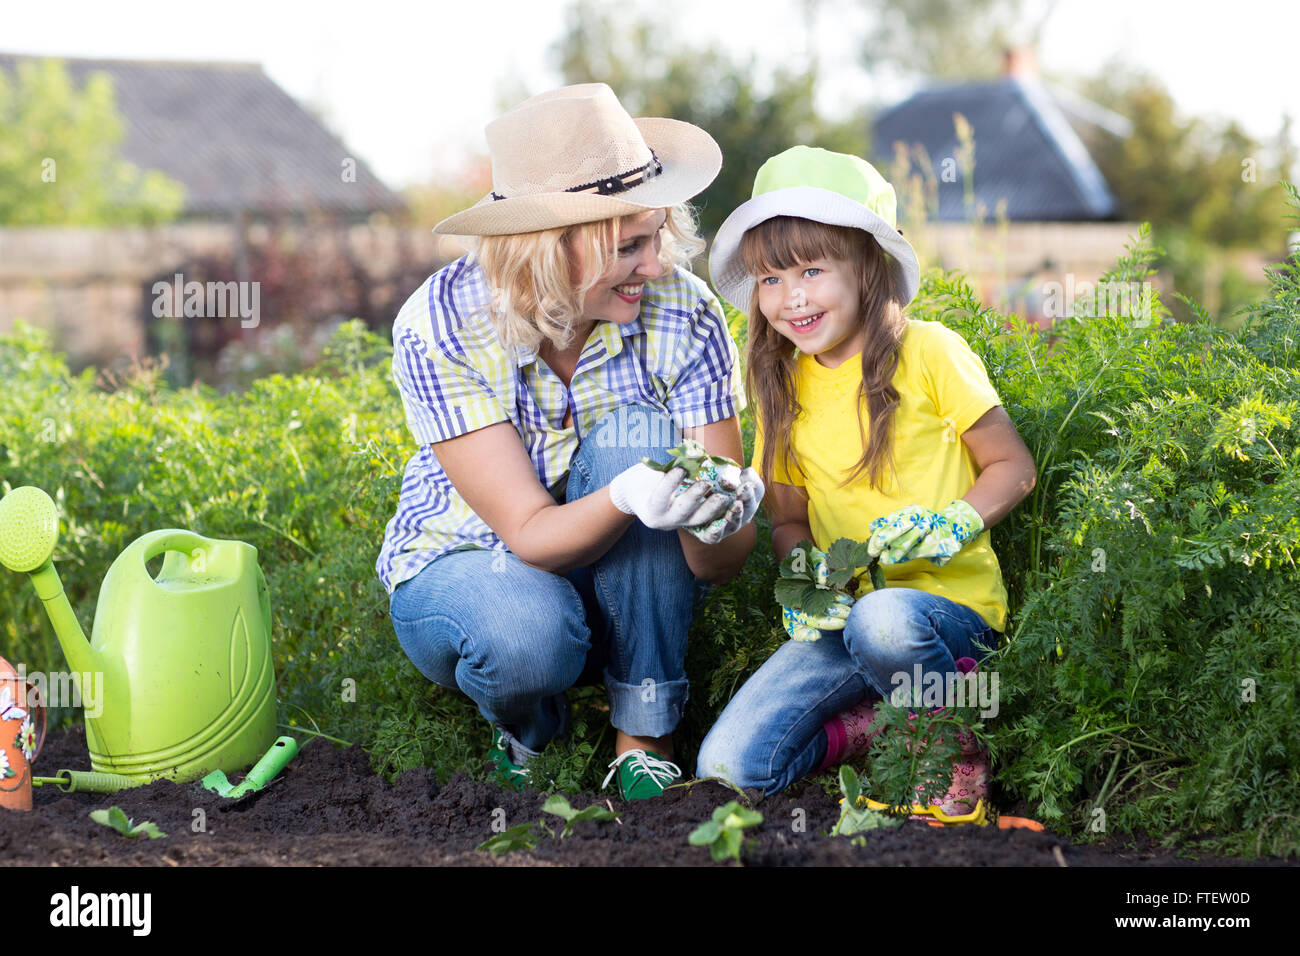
{"x": 232, "y": 137}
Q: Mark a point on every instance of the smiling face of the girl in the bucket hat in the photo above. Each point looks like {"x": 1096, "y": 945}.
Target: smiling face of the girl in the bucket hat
{"x": 816, "y": 306}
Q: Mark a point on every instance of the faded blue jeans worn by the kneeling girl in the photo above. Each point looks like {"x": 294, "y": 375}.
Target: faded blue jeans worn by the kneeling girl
{"x": 770, "y": 736}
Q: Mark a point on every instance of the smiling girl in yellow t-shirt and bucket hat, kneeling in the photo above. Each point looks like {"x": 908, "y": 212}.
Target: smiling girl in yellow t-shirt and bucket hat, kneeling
{"x": 869, "y": 427}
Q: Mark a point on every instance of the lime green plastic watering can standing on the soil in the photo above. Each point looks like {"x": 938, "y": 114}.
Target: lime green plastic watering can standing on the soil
{"x": 183, "y": 660}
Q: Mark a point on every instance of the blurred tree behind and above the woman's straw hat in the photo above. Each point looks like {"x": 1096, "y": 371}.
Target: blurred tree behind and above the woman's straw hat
{"x": 656, "y": 73}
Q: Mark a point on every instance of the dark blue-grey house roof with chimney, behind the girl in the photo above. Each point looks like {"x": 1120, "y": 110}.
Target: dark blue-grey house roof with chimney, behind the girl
{"x": 1026, "y": 150}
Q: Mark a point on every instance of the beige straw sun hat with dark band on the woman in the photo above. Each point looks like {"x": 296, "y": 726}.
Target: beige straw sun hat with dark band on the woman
{"x": 575, "y": 155}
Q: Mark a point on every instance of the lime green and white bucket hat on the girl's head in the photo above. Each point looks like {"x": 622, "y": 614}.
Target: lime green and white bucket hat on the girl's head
{"x": 824, "y": 187}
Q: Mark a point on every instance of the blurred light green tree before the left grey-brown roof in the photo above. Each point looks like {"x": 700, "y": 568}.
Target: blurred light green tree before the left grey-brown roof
{"x": 59, "y": 155}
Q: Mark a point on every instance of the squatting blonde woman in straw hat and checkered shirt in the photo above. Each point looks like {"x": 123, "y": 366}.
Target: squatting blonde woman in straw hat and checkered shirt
{"x": 531, "y": 546}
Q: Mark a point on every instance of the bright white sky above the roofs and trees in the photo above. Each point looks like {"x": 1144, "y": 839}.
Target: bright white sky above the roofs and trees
{"x": 410, "y": 86}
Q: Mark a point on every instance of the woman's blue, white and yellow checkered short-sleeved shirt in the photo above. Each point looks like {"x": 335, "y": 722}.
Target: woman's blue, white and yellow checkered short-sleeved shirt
{"x": 456, "y": 377}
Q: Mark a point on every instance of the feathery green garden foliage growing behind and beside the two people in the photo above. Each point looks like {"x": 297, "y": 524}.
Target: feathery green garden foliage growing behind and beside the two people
{"x": 1151, "y": 671}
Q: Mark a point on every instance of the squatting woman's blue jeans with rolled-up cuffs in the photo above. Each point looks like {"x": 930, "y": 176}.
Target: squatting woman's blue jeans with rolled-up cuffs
{"x": 514, "y": 638}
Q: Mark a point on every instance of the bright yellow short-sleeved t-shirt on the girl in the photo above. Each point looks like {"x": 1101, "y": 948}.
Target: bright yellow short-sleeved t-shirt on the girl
{"x": 943, "y": 391}
